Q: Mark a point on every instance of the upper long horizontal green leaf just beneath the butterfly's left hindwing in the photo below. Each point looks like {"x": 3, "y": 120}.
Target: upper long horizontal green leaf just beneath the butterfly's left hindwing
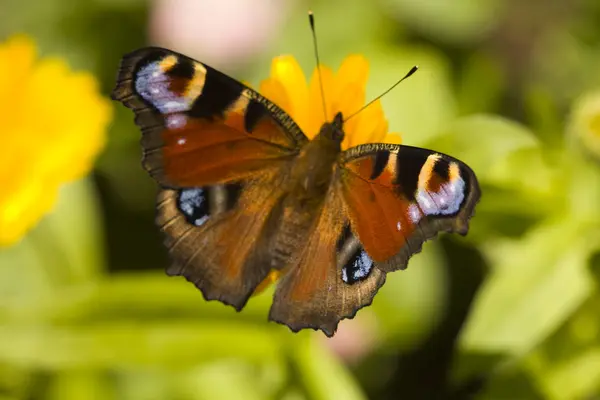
{"x": 143, "y": 296}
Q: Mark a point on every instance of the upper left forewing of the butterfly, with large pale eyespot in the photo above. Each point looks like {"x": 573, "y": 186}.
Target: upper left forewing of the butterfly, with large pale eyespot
{"x": 199, "y": 126}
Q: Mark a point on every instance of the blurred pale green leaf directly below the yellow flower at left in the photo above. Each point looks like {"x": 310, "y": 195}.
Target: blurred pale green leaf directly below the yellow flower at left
{"x": 65, "y": 248}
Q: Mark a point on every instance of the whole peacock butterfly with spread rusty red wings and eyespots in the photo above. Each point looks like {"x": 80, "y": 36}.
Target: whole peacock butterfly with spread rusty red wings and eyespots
{"x": 244, "y": 192}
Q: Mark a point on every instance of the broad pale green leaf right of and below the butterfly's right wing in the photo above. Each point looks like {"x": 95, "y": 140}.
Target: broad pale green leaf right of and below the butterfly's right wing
{"x": 536, "y": 284}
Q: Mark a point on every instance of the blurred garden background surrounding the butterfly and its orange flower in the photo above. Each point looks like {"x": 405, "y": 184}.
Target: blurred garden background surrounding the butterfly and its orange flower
{"x": 512, "y": 311}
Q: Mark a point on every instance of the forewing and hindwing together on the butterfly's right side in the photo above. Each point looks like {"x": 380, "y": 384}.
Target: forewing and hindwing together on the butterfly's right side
{"x": 384, "y": 202}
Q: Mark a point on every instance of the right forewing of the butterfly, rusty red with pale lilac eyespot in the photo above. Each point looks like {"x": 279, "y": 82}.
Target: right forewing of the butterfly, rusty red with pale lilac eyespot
{"x": 400, "y": 196}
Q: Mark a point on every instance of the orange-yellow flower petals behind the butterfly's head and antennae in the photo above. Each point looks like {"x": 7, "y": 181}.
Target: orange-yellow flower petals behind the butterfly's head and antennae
{"x": 344, "y": 92}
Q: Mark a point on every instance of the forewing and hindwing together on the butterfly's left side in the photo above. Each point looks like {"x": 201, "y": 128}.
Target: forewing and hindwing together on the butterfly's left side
{"x": 219, "y": 149}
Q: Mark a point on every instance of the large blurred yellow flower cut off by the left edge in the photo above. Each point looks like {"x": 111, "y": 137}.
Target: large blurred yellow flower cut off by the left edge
{"x": 53, "y": 126}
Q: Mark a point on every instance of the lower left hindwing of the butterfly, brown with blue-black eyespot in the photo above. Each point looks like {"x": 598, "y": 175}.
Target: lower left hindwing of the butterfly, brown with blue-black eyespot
{"x": 216, "y": 235}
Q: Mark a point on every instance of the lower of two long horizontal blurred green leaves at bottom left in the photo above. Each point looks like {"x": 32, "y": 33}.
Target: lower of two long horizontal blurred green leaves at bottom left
{"x": 135, "y": 343}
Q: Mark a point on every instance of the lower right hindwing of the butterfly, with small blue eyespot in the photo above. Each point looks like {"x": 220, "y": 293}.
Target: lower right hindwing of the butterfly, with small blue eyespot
{"x": 331, "y": 278}
